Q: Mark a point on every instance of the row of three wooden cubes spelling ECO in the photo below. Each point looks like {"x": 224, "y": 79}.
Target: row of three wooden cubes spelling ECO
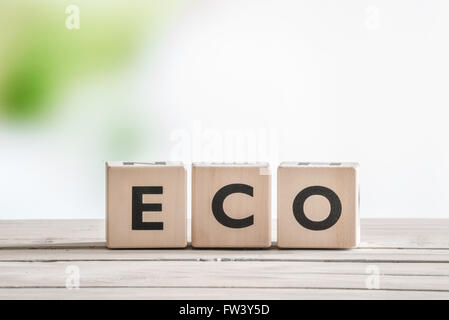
{"x": 146, "y": 204}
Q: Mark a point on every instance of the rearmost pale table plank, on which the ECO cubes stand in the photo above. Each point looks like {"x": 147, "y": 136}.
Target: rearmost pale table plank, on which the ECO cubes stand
{"x": 375, "y": 233}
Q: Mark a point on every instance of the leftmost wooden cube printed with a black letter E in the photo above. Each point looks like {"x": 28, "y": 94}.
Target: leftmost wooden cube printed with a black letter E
{"x": 146, "y": 205}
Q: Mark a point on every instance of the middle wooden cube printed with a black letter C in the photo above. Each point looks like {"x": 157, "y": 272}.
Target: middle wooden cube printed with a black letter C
{"x": 231, "y": 205}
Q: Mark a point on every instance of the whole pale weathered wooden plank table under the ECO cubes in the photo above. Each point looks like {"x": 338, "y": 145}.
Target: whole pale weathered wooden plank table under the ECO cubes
{"x": 403, "y": 259}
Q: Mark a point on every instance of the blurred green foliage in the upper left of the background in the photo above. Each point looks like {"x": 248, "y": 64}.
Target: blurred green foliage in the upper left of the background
{"x": 42, "y": 59}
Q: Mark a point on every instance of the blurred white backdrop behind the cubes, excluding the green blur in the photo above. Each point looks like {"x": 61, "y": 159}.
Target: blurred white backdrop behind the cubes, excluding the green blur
{"x": 363, "y": 81}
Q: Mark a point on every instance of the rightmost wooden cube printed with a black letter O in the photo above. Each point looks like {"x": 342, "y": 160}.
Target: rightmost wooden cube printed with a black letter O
{"x": 318, "y": 205}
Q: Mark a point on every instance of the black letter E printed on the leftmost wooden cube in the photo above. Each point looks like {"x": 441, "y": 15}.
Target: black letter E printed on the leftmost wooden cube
{"x": 139, "y": 208}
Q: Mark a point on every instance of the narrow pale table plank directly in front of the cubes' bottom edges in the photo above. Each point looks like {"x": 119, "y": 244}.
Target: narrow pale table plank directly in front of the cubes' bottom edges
{"x": 102, "y": 254}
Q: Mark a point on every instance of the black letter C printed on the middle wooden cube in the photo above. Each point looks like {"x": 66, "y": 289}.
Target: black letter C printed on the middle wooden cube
{"x": 217, "y": 206}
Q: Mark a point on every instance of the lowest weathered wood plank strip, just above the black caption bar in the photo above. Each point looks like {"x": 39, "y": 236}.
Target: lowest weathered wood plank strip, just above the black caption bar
{"x": 213, "y": 293}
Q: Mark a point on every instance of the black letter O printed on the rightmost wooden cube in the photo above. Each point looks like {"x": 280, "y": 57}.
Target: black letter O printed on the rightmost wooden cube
{"x": 298, "y": 208}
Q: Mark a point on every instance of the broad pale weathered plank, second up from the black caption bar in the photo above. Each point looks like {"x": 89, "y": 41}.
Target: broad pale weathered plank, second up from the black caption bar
{"x": 280, "y": 274}
